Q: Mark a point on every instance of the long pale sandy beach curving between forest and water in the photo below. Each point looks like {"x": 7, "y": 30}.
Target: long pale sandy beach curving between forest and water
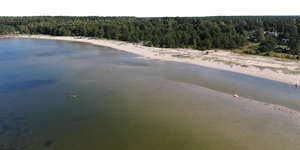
{"x": 283, "y": 70}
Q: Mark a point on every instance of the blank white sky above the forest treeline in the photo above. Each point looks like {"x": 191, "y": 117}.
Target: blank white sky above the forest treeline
{"x": 148, "y": 8}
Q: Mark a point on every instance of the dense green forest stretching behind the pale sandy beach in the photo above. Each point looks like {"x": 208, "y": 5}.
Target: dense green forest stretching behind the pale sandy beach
{"x": 251, "y": 34}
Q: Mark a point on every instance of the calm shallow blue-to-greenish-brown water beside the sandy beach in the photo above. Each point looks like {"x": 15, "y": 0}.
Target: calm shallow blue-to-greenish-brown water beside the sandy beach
{"x": 60, "y": 95}
